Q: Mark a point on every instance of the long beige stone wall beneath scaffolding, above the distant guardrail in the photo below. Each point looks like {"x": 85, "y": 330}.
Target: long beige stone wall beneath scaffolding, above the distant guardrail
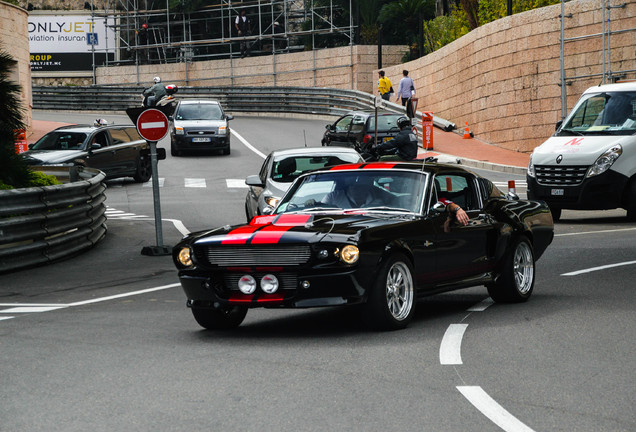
{"x": 349, "y": 67}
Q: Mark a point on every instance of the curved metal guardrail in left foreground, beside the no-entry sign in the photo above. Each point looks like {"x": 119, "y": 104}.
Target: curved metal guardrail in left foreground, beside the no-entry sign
{"x": 43, "y": 224}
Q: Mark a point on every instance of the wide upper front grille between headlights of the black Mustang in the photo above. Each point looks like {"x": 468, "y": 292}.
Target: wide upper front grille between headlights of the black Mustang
{"x": 247, "y": 255}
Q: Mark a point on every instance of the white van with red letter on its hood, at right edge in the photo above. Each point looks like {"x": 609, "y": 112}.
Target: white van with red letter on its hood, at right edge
{"x": 590, "y": 161}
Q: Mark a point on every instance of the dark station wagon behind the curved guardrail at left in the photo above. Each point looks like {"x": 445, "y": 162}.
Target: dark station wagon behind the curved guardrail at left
{"x": 118, "y": 151}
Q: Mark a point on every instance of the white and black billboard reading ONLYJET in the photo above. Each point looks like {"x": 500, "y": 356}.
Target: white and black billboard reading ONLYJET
{"x": 65, "y": 42}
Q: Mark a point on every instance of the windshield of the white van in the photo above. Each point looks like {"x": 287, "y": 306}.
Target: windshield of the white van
{"x": 603, "y": 113}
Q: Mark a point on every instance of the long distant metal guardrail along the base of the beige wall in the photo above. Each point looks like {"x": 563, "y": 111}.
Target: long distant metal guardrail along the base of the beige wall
{"x": 299, "y": 100}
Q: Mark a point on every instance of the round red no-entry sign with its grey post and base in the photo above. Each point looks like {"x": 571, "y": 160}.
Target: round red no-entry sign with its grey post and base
{"x": 152, "y": 125}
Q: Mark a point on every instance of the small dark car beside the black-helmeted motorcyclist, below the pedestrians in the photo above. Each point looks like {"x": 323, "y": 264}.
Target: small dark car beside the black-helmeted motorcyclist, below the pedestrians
{"x": 358, "y": 127}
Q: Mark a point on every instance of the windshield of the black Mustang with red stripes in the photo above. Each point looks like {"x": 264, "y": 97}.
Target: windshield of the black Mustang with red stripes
{"x": 373, "y": 190}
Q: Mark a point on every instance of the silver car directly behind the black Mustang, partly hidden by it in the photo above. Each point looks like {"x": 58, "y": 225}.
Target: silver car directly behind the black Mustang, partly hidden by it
{"x": 282, "y": 167}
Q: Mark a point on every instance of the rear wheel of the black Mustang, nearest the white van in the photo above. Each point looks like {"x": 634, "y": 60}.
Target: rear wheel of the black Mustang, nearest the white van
{"x": 515, "y": 281}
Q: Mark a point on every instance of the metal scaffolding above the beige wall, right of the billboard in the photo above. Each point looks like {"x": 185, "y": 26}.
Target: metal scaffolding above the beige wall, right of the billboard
{"x": 178, "y": 34}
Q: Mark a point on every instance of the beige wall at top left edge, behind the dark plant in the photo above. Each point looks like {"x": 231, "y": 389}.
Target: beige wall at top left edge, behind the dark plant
{"x": 14, "y": 40}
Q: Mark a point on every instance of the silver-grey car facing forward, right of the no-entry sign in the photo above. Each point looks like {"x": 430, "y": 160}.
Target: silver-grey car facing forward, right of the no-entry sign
{"x": 199, "y": 124}
